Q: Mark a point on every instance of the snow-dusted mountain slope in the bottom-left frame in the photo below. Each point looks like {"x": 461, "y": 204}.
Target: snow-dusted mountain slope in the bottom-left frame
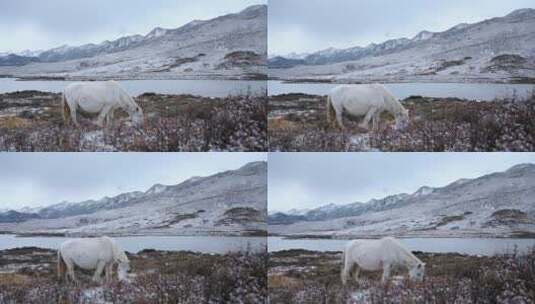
{"x": 231, "y": 202}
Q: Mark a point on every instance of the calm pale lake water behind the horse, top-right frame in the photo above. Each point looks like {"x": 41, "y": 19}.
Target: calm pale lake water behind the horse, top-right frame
{"x": 472, "y": 91}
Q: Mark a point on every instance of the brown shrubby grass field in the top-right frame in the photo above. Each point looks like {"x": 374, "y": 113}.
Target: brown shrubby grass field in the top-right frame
{"x": 297, "y": 122}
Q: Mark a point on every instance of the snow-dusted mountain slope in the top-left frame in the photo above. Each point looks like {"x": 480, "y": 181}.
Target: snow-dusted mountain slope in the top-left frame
{"x": 233, "y": 45}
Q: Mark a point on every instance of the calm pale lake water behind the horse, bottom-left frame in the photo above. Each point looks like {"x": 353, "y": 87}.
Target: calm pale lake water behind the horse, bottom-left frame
{"x": 204, "y": 244}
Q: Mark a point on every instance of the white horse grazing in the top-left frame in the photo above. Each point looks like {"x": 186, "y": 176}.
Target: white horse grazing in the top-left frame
{"x": 99, "y": 97}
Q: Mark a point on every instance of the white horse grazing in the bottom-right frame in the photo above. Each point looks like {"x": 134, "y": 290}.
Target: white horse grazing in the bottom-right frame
{"x": 384, "y": 254}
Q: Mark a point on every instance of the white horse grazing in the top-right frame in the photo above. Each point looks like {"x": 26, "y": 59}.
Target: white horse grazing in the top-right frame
{"x": 368, "y": 100}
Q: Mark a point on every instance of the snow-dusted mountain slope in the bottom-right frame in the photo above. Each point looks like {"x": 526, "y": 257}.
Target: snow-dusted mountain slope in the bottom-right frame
{"x": 498, "y": 204}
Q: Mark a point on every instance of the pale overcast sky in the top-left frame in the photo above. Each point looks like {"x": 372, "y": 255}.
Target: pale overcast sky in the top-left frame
{"x": 40, "y": 24}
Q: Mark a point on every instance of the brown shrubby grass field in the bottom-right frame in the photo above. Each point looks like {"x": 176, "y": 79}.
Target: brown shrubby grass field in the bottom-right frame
{"x": 300, "y": 276}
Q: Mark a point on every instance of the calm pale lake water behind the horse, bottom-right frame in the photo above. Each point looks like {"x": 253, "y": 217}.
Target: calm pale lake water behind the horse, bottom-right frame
{"x": 472, "y": 246}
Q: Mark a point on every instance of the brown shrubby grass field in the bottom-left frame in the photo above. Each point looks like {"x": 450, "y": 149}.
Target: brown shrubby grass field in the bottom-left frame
{"x": 28, "y": 275}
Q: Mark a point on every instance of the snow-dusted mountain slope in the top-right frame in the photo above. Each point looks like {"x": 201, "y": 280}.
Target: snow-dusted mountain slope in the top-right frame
{"x": 498, "y": 49}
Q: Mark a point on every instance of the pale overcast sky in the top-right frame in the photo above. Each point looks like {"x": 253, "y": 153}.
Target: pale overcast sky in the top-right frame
{"x": 312, "y": 25}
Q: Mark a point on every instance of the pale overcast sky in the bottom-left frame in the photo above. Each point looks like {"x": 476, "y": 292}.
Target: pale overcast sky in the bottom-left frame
{"x": 40, "y": 179}
